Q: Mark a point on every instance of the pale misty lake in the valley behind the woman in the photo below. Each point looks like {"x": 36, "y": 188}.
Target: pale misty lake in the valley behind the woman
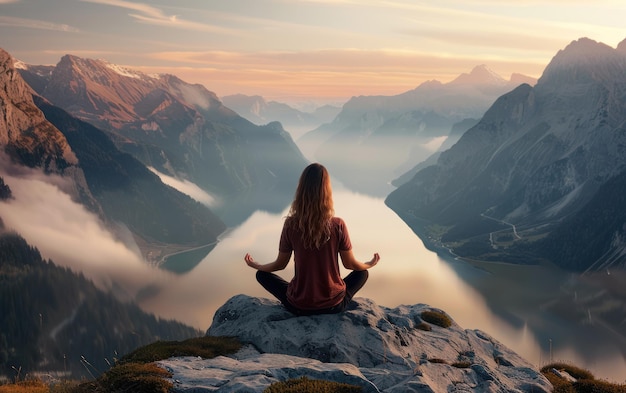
{"x": 510, "y": 302}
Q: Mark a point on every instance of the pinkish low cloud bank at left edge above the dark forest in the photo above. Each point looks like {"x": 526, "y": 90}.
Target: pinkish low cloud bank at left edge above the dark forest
{"x": 65, "y": 232}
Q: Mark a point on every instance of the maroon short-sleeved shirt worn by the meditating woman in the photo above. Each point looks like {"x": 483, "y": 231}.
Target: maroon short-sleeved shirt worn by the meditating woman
{"x": 317, "y": 282}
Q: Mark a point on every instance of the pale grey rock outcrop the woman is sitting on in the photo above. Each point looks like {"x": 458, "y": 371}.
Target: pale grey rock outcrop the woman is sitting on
{"x": 378, "y": 348}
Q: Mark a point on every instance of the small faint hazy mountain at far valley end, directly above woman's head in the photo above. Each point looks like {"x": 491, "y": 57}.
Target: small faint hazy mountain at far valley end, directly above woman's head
{"x": 259, "y": 111}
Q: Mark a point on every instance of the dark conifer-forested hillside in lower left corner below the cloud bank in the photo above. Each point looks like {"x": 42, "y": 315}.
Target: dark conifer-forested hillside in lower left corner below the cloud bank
{"x": 54, "y": 319}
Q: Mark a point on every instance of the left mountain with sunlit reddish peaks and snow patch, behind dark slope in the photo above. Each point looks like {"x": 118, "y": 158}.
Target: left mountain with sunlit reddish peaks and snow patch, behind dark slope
{"x": 180, "y": 129}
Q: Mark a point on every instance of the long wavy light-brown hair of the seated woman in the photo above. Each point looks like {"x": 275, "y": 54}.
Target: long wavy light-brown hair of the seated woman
{"x": 312, "y": 207}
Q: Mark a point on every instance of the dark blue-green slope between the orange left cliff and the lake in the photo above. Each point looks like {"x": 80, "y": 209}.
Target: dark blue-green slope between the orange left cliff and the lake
{"x": 161, "y": 219}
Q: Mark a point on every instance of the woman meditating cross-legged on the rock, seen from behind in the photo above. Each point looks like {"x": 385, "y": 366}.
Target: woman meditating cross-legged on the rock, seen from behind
{"x": 317, "y": 239}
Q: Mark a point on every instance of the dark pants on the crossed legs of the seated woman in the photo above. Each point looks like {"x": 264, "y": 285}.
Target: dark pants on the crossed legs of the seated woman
{"x": 275, "y": 285}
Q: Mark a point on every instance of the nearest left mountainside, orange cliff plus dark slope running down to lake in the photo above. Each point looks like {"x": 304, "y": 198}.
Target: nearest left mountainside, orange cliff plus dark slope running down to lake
{"x": 120, "y": 190}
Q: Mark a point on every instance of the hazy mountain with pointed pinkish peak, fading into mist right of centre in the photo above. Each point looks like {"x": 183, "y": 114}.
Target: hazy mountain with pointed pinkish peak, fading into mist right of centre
{"x": 374, "y": 139}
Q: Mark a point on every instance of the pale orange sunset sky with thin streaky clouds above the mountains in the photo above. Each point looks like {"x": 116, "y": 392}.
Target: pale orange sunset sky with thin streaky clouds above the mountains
{"x": 308, "y": 50}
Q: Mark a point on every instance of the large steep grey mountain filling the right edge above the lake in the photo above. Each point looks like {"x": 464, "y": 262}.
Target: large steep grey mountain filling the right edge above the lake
{"x": 541, "y": 176}
